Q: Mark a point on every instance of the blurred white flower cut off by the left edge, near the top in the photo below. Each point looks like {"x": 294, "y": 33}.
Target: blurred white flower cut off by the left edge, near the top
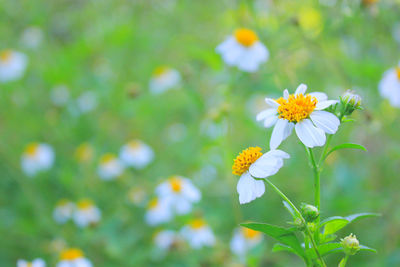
{"x": 12, "y": 65}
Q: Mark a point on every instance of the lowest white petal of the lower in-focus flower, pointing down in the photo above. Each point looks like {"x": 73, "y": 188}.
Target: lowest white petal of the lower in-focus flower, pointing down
{"x": 249, "y": 188}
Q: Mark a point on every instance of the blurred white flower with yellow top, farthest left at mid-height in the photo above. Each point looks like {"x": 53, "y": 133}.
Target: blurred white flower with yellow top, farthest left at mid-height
{"x": 37, "y": 157}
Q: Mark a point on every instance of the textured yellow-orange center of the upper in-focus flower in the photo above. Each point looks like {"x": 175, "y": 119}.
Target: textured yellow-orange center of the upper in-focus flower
{"x": 296, "y": 107}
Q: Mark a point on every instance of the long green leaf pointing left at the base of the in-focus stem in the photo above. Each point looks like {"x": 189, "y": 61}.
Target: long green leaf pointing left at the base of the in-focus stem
{"x": 283, "y": 235}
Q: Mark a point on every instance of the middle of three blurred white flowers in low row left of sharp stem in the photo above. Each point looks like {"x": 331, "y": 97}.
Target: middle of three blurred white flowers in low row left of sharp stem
{"x": 198, "y": 234}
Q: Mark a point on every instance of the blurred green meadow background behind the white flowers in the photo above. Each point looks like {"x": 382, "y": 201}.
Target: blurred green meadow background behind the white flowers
{"x": 112, "y": 47}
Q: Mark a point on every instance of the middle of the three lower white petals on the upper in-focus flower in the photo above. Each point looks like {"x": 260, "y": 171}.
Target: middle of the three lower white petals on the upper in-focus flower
{"x": 310, "y": 135}
